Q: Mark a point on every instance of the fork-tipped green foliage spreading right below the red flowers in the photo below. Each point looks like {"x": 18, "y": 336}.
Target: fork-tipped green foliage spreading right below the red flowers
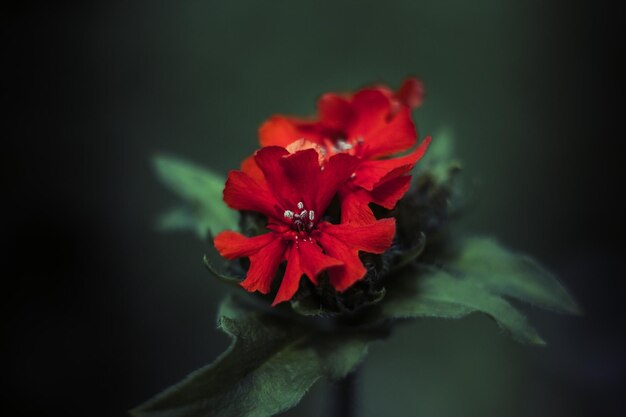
{"x": 477, "y": 281}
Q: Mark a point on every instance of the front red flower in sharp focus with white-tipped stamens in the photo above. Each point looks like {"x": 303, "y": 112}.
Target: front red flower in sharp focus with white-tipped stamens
{"x": 294, "y": 191}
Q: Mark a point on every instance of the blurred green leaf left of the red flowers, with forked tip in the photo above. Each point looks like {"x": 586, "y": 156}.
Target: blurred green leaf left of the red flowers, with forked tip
{"x": 205, "y": 211}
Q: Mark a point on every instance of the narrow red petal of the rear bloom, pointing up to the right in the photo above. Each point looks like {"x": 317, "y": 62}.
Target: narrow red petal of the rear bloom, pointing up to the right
{"x": 371, "y": 172}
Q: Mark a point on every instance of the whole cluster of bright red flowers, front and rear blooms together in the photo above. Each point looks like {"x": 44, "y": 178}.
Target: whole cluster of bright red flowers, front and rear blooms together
{"x": 315, "y": 180}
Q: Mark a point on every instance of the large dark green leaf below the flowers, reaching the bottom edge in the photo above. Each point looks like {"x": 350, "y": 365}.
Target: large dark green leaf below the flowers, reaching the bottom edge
{"x": 268, "y": 368}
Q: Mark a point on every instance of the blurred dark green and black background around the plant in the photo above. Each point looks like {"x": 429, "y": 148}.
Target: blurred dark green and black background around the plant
{"x": 100, "y": 311}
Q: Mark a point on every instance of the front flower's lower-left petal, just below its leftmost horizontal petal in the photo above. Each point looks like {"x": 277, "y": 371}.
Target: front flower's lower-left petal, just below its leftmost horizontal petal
{"x": 263, "y": 266}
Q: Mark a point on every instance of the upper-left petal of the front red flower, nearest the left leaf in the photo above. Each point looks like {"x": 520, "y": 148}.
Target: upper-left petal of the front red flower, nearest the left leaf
{"x": 243, "y": 193}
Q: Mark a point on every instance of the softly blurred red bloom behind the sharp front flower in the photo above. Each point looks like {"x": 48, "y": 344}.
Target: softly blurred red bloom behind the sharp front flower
{"x": 373, "y": 124}
